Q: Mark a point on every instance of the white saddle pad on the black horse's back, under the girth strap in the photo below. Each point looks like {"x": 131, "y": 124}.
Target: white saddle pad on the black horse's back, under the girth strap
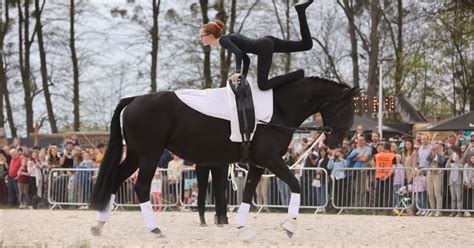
{"x": 220, "y": 103}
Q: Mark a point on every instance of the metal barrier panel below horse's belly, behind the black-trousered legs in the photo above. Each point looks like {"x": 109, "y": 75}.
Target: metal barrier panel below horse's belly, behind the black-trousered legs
{"x": 189, "y": 189}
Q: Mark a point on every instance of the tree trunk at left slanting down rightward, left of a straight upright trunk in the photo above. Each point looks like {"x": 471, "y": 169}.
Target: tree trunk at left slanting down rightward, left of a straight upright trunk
{"x": 44, "y": 71}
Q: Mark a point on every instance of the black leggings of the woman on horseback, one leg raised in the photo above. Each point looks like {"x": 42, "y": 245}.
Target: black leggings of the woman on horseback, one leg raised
{"x": 268, "y": 45}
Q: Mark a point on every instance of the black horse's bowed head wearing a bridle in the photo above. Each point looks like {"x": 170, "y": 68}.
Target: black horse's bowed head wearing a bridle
{"x": 338, "y": 115}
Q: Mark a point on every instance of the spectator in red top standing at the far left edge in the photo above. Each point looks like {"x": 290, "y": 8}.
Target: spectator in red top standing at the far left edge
{"x": 13, "y": 175}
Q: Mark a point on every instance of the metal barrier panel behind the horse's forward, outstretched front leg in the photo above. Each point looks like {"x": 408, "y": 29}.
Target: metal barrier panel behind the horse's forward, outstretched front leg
{"x": 272, "y": 192}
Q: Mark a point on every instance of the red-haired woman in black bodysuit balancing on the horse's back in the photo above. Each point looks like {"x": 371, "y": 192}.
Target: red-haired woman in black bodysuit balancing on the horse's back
{"x": 211, "y": 34}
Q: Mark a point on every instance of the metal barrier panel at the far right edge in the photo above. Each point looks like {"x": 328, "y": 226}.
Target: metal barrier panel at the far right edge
{"x": 439, "y": 190}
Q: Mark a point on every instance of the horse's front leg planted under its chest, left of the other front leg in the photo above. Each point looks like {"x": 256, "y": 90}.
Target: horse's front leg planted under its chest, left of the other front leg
{"x": 253, "y": 177}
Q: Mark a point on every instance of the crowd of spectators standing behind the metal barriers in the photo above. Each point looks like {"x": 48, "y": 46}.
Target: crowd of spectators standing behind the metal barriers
{"x": 367, "y": 172}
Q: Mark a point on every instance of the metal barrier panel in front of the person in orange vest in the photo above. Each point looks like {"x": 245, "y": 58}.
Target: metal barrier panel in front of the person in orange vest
{"x": 370, "y": 188}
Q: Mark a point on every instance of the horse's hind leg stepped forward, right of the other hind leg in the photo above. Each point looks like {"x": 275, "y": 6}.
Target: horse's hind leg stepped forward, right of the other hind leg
{"x": 148, "y": 164}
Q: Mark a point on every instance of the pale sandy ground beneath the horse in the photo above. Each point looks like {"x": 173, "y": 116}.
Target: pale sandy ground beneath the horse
{"x": 60, "y": 228}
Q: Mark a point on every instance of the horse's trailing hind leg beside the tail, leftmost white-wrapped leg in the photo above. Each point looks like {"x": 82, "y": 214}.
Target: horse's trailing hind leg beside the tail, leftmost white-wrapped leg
{"x": 127, "y": 168}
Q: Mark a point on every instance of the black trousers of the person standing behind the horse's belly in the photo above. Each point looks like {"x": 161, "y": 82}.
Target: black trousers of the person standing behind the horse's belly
{"x": 219, "y": 182}
